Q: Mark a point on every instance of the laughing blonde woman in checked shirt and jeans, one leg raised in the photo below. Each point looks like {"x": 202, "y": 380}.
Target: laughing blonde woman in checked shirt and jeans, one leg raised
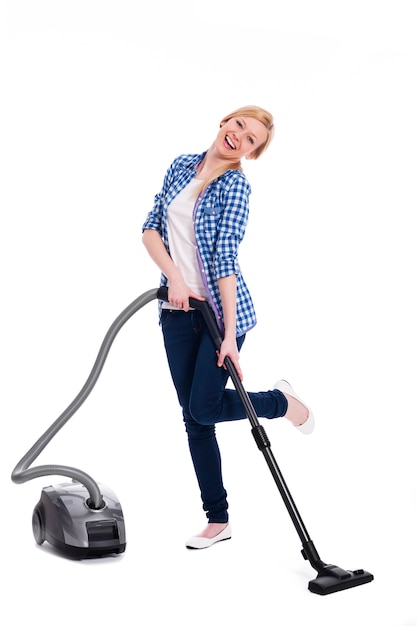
{"x": 193, "y": 235}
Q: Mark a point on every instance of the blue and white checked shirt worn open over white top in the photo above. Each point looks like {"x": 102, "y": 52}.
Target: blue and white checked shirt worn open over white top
{"x": 220, "y": 218}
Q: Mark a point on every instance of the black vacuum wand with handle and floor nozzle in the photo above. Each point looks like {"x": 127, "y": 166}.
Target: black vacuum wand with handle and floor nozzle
{"x": 330, "y": 578}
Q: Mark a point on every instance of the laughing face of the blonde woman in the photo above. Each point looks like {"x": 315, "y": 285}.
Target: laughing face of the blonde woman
{"x": 239, "y": 137}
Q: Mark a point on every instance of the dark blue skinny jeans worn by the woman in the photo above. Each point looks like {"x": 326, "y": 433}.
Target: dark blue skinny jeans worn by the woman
{"x": 205, "y": 401}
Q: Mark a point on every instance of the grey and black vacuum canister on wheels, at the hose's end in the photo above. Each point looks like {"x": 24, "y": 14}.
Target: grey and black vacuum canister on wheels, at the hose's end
{"x": 65, "y": 519}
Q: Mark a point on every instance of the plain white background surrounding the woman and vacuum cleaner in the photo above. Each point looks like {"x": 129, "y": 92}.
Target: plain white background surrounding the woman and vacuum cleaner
{"x": 97, "y": 98}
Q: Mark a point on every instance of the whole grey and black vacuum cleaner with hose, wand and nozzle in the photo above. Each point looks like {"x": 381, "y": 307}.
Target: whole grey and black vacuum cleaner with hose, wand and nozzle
{"x": 82, "y": 519}
